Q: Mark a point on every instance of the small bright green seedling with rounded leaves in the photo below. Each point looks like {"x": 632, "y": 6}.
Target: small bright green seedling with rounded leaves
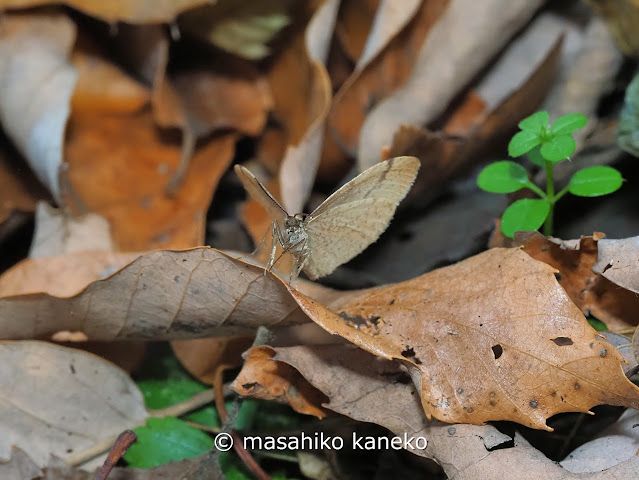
{"x": 545, "y": 145}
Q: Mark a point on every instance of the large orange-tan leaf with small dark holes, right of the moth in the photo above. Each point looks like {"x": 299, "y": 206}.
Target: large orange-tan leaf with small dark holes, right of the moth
{"x": 494, "y": 337}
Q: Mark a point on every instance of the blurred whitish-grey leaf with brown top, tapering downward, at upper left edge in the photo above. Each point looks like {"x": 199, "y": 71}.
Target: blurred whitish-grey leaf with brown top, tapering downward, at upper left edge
{"x": 34, "y": 104}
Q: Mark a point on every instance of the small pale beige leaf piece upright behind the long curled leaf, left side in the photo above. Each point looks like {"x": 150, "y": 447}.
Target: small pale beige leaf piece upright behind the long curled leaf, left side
{"x": 57, "y": 233}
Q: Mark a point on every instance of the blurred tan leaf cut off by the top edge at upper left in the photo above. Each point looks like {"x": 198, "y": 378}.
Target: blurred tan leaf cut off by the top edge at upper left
{"x": 138, "y": 11}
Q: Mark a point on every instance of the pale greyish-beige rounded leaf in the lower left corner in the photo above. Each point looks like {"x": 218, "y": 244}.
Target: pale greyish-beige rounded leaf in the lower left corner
{"x": 79, "y": 408}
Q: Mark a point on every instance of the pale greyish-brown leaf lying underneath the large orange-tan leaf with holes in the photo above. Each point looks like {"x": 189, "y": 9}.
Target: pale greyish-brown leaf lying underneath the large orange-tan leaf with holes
{"x": 358, "y": 383}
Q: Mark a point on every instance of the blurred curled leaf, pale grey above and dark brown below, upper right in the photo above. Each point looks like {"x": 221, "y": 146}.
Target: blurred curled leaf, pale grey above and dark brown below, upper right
{"x": 511, "y": 89}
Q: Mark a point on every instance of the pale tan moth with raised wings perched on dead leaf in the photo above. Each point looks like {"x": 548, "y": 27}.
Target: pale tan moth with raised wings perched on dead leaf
{"x": 344, "y": 224}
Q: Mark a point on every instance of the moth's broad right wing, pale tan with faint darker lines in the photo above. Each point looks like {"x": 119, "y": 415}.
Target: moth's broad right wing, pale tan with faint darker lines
{"x": 357, "y": 214}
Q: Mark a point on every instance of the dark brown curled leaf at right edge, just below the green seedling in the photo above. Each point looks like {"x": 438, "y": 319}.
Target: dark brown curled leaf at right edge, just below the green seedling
{"x": 592, "y": 293}
